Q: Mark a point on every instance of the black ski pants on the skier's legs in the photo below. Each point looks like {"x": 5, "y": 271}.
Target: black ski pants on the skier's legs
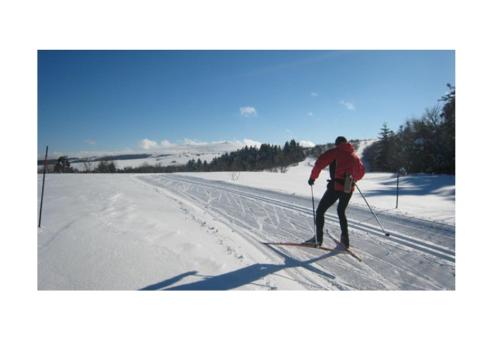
{"x": 329, "y": 198}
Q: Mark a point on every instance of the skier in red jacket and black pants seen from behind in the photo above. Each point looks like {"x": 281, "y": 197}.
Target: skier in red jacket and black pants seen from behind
{"x": 346, "y": 168}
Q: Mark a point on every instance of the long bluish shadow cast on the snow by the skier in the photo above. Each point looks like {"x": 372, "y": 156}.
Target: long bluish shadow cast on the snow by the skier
{"x": 243, "y": 276}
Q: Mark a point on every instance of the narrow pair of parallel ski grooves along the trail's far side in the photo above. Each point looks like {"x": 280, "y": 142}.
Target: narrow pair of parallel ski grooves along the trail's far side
{"x": 396, "y": 237}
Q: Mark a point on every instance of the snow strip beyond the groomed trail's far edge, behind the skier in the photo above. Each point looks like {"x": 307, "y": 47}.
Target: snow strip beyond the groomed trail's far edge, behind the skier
{"x": 423, "y": 196}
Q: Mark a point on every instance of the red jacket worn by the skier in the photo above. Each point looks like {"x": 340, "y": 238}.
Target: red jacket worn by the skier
{"x": 342, "y": 160}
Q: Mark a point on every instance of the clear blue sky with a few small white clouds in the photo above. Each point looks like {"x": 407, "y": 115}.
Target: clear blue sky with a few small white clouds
{"x": 114, "y": 100}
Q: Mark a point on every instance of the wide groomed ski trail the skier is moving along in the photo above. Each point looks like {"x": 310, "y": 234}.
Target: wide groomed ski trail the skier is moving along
{"x": 419, "y": 254}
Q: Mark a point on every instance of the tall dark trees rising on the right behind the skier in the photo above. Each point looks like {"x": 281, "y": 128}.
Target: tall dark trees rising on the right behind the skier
{"x": 425, "y": 144}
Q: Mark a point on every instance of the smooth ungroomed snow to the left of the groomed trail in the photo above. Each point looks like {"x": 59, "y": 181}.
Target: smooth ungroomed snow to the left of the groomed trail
{"x": 114, "y": 232}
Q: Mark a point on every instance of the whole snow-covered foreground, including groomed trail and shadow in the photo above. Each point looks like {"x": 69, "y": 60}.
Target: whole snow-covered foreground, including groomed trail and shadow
{"x": 194, "y": 232}
